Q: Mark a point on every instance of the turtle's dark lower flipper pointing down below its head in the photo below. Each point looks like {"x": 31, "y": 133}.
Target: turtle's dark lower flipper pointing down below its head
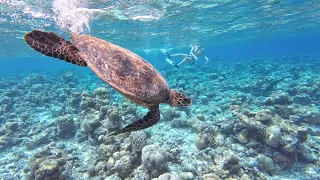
{"x": 148, "y": 120}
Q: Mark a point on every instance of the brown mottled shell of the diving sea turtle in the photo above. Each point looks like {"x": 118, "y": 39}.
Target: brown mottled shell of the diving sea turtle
{"x": 125, "y": 71}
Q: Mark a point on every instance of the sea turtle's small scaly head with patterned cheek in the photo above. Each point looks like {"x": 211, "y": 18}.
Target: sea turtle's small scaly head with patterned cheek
{"x": 179, "y": 99}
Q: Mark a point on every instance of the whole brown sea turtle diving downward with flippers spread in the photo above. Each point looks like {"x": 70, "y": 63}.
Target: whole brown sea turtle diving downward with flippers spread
{"x": 122, "y": 69}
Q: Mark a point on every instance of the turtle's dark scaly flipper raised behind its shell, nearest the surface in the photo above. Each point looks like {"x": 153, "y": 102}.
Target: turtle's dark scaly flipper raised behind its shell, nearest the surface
{"x": 53, "y": 45}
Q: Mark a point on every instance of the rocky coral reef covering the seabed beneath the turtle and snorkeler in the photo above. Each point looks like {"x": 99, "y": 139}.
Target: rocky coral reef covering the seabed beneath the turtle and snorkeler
{"x": 260, "y": 122}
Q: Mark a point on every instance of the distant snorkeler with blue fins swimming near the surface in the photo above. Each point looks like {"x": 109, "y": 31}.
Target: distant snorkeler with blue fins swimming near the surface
{"x": 195, "y": 53}
